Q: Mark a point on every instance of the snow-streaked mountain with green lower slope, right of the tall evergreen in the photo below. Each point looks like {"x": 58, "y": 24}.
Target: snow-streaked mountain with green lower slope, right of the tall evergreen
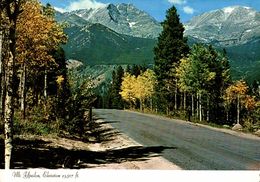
{"x": 237, "y": 29}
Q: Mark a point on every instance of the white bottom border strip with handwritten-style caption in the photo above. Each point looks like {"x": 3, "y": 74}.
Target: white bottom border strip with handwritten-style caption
{"x": 38, "y": 175}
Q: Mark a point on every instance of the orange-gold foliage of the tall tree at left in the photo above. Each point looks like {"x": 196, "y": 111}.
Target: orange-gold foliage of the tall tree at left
{"x": 38, "y": 34}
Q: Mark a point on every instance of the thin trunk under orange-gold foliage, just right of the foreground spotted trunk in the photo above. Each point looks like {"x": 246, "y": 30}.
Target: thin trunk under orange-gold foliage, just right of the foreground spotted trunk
{"x": 22, "y": 89}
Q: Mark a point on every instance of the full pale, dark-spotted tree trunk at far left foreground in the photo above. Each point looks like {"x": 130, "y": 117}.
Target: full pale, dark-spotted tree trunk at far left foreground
{"x": 13, "y": 11}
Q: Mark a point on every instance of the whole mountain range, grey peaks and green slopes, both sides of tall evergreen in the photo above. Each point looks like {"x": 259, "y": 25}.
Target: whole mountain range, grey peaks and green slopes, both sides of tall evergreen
{"x": 122, "y": 34}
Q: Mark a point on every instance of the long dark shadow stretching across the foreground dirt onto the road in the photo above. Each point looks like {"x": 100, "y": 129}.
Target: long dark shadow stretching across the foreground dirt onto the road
{"x": 38, "y": 154}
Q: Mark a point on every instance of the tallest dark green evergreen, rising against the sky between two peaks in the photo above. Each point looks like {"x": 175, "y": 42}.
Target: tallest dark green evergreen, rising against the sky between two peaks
{"x": 171, "y": 47}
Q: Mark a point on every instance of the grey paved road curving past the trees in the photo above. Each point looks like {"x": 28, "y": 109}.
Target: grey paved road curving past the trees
{"x": 196, "y": 147}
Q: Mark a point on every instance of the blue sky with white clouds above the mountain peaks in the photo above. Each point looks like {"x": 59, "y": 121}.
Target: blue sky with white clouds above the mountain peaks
{"x": 157, "y": 8}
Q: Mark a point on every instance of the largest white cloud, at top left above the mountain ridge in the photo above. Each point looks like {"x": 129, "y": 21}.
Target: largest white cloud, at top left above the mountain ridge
{"x": 81, "y": 4}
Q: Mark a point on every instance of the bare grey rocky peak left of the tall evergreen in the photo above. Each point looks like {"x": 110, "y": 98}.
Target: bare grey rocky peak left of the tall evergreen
{"x": 122, "y": 18}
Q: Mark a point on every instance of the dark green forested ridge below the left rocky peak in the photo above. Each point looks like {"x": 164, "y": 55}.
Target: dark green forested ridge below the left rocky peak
{"x": 96, "y": 44}
